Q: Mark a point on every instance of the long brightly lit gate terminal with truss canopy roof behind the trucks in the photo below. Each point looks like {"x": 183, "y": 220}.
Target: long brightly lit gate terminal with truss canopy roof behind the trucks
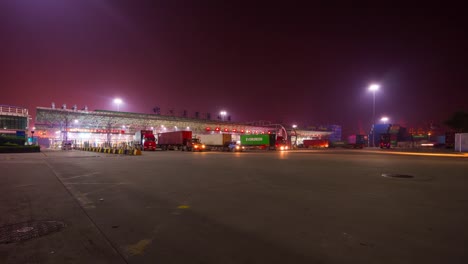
{"x": 102, "y": 127}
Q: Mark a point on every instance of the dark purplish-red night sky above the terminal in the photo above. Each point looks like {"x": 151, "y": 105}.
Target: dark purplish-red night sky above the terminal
{"x": 308, "y": 65}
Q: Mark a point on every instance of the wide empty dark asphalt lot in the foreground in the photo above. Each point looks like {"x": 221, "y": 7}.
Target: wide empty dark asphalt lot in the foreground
{"x": 319, "y": 206}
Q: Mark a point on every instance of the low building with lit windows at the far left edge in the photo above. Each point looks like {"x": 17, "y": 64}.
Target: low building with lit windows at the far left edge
{"x": 13, "y": 120}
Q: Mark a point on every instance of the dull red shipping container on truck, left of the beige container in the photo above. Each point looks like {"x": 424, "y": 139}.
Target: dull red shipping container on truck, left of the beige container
{"x": 176, "y": 140}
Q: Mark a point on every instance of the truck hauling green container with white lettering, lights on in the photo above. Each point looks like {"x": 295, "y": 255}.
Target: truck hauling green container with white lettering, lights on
{"x": 263, "y": 141}
